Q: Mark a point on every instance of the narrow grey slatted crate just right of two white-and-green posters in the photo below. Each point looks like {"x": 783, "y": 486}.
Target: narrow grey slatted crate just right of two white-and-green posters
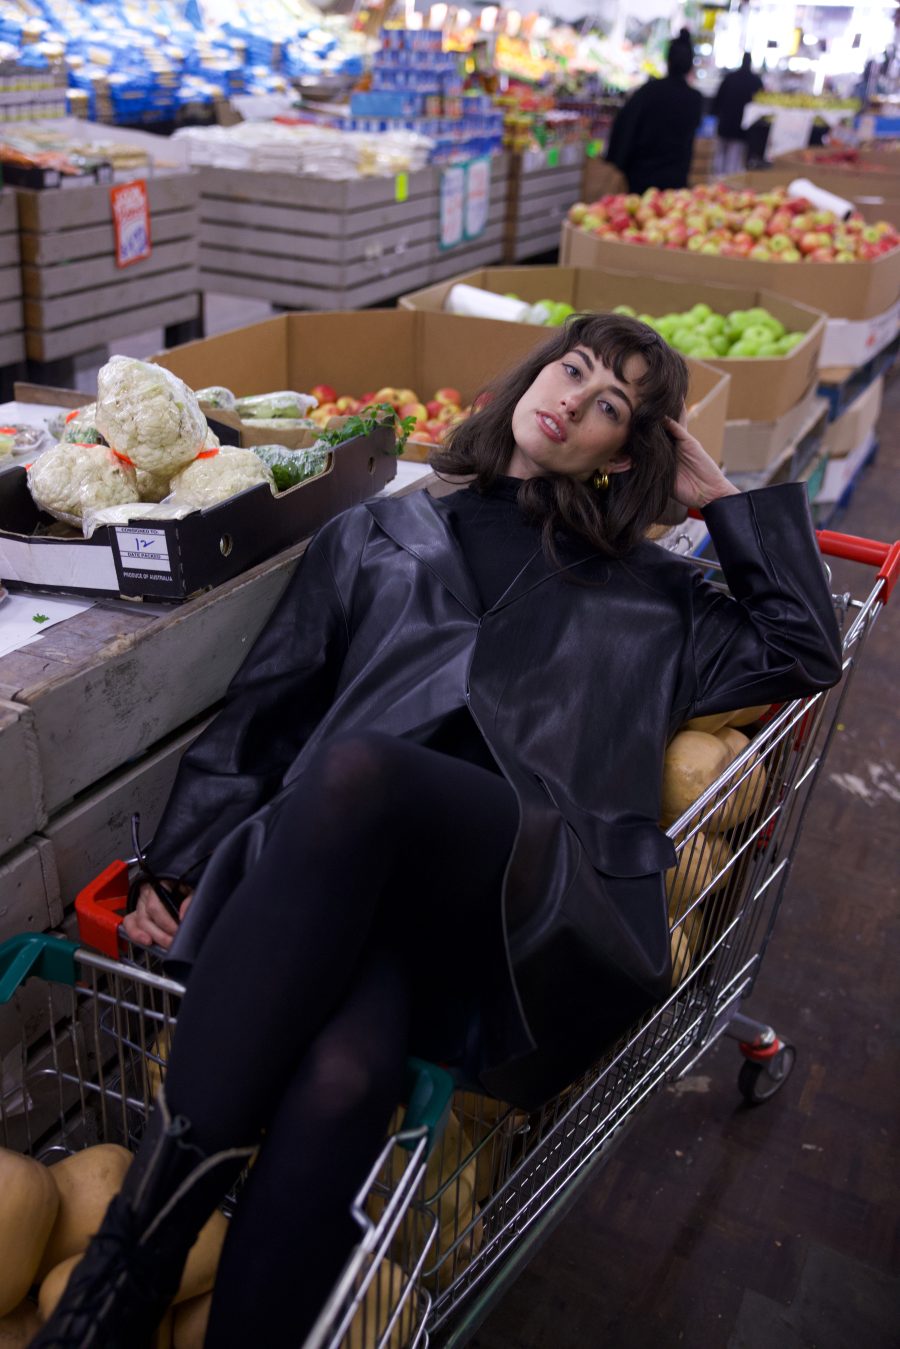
{"x": 542, "y": 190}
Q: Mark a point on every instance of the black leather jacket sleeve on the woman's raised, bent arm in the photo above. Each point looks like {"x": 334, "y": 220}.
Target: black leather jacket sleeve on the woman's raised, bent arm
{"x": 775, "y": 636}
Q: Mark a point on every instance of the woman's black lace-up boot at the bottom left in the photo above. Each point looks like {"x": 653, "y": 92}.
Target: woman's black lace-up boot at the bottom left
{"x": 132, "y": 1270}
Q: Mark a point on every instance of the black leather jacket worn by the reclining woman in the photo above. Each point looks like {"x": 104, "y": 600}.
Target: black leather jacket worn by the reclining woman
{"x": 577, "y": 690}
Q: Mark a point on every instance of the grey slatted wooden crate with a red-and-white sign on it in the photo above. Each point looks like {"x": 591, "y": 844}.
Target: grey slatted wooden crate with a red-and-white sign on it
{"x": 76, "y": 299}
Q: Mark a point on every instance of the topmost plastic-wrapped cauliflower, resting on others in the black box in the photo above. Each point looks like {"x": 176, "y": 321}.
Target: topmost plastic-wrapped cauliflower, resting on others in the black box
{"x": 149, "y": 415}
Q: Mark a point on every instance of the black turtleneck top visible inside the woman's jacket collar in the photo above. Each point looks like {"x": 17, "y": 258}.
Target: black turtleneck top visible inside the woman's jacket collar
{"x": 495, "y": 538}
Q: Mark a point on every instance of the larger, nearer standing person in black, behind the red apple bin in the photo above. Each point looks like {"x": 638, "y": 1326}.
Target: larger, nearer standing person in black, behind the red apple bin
{"x": 652, "y": 138}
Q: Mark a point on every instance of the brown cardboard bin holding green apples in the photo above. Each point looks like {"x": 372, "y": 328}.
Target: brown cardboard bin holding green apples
{"x": 762, "y": 389}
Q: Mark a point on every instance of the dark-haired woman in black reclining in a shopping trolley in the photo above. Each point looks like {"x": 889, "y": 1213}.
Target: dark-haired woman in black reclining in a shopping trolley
{"x": 426, "y": 821}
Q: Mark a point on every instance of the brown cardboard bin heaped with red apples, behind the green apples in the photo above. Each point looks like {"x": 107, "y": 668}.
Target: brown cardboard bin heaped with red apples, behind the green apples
{"x": 843, "y": 291}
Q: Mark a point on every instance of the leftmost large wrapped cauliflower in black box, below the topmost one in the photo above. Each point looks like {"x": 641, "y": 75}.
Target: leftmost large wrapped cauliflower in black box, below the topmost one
{"x": 69, "y": 480}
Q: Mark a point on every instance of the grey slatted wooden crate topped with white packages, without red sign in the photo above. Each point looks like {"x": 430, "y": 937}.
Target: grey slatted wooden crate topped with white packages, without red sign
{"x": 308, "y": 243}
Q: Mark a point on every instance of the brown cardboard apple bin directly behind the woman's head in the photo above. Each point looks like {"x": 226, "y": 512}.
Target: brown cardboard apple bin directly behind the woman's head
{"x": 400, "y": 349}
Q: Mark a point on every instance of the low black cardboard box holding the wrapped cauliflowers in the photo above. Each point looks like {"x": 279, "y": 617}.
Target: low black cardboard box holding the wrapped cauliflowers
{"x": 175, "y": 559}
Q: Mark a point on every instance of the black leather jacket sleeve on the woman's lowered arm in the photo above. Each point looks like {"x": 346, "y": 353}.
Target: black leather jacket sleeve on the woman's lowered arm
{"x": 272, "y": 708}
